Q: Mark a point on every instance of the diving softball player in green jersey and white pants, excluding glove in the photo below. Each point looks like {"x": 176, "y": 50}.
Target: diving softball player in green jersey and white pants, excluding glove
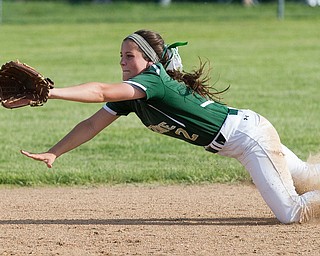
{"x": 178, "y": 104}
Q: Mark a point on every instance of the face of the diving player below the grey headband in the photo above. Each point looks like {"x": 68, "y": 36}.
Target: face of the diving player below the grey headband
{"x": 132, "y": 61}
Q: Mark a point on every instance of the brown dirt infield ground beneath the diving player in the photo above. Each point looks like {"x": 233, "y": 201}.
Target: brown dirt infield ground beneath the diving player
{"x": 147, "y": 220}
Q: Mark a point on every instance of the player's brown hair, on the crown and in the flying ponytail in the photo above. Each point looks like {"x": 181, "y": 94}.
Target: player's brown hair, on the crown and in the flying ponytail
{"x": 197, "y": 80}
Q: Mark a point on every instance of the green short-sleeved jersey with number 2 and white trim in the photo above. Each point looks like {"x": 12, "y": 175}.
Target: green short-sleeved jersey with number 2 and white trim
{"x": 171, "y": 108}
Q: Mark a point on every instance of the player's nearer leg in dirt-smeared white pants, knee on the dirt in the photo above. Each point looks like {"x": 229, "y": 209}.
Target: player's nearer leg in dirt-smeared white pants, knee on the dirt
{"x": 269, "y": 170}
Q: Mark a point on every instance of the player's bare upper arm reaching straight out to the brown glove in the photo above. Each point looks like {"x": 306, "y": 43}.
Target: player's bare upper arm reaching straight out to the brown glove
{"x": 95, "y": 92}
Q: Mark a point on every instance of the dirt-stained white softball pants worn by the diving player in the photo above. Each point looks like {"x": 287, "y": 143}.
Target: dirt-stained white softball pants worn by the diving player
{"x": 254, "y": 142}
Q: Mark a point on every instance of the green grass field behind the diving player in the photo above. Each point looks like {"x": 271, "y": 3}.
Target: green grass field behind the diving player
{"x": 272, "y": 66}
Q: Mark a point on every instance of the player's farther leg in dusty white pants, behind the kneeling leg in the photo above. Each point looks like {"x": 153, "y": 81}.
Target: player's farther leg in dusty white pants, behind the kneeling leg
{"x": 306, "y": 176}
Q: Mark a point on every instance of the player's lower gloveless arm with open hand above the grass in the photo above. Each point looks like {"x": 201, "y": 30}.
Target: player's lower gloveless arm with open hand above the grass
{"x": 80, "y": 134}
